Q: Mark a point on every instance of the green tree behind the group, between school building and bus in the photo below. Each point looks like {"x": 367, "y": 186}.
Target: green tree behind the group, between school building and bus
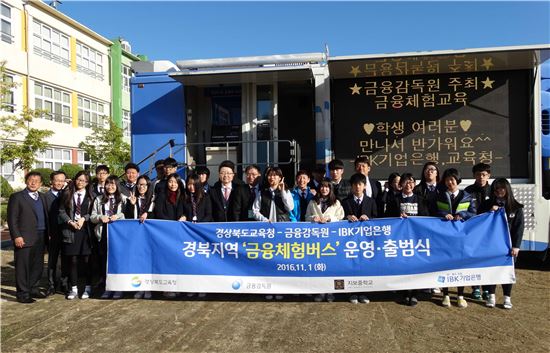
{"x": 107, "y": 146}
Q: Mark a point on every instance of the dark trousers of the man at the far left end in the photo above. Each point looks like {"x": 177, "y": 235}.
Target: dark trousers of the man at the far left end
{"x": 29, "y": 263}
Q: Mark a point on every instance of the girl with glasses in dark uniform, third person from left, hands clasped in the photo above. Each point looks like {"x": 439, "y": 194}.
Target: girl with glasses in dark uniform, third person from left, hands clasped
{"x": 74, "y": 213}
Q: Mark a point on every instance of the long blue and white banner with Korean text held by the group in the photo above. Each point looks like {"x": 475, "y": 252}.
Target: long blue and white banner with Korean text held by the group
{"x": 261, "y": 257}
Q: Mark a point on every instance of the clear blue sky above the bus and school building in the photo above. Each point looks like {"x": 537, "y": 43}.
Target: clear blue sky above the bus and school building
{"x": 196, "y": 30}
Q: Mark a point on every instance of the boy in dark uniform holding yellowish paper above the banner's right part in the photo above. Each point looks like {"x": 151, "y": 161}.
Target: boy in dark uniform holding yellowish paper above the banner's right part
{"x": 454, "y": 205}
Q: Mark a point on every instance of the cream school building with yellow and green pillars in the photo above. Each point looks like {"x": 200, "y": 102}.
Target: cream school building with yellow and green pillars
{"x": 75, "y": 74}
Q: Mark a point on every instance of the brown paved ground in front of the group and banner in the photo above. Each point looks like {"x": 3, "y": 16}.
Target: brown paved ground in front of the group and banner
{"x": 224, "y": 323}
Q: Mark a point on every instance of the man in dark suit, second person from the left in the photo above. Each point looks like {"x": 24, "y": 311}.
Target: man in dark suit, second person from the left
{"x": 53, "y": 201}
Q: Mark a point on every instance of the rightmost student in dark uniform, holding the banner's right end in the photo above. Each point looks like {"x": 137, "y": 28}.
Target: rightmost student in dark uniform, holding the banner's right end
{"x": 502, "y": 196}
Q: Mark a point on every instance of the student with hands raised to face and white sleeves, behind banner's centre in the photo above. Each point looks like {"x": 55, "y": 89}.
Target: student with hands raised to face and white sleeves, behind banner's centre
{"x": 273, "y": 204}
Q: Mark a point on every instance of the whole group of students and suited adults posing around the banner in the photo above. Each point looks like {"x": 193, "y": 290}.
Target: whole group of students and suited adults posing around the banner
{"x": 70, "y": 218}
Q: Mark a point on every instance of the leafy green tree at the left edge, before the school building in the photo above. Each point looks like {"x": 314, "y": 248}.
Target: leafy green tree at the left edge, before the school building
{"x": 20, "y": 142}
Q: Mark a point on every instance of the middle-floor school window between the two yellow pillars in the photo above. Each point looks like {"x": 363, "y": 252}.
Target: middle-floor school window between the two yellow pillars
{"x": 55, "y": 102}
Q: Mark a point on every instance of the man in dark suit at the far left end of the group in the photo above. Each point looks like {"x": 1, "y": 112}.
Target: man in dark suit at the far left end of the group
{"x": 28, "y": 223}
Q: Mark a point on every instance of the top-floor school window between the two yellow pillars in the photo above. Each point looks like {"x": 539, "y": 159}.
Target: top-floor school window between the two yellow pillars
{"x": 51, "y": 44}
